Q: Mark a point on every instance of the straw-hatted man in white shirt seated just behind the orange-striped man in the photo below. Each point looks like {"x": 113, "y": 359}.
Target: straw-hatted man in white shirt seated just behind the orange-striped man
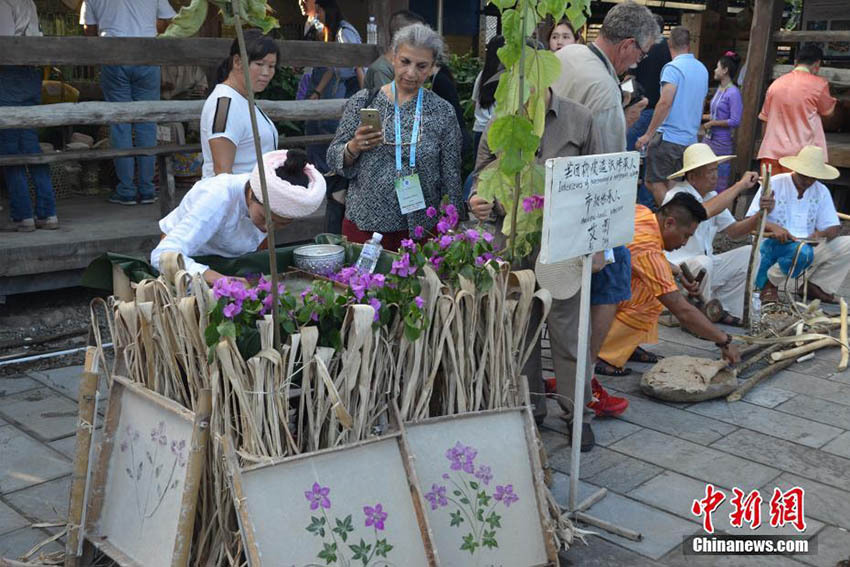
{"x": 726, "y": 273}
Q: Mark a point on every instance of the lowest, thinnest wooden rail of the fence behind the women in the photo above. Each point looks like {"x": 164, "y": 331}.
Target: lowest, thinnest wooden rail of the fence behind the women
{"x": 94, "y": 155}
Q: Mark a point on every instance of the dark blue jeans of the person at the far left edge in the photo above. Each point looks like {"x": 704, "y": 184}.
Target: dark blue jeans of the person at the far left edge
{"x": 21, "y": 86}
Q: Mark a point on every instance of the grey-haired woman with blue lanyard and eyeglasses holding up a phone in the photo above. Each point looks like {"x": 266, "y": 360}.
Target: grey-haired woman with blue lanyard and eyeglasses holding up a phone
{"x": 399, "y": 146}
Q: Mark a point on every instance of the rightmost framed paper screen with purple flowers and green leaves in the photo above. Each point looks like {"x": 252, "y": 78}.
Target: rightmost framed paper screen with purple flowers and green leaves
{"x": 477, "y": 479}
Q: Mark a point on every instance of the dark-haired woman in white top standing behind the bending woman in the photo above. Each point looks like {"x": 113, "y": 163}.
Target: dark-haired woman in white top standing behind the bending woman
{"x": 227, "y": 141}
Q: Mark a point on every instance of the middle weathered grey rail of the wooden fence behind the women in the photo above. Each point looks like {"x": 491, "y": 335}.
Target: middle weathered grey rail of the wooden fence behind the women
{"x": 98, "y": 113}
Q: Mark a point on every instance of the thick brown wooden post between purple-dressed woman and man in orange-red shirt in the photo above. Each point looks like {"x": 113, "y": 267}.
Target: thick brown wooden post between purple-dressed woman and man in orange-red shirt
{"x": 761, "y": 55}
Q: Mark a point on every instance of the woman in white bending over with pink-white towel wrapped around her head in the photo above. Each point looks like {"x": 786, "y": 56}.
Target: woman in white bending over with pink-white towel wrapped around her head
{"x": 224, "y": 215}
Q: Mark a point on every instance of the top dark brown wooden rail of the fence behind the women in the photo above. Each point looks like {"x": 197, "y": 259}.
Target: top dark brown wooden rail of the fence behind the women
{"x": 203, "y": 51}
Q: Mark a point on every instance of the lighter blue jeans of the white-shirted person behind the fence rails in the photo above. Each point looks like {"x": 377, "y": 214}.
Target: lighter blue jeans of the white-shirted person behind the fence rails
{"x": 128, "y": 83}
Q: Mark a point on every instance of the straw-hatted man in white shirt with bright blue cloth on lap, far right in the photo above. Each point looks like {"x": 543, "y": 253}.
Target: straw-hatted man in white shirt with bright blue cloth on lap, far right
{"x": 804, "y": 214}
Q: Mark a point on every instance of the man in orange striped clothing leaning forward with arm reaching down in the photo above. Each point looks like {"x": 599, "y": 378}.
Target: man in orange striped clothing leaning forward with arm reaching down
{"x": 653, "y": 285}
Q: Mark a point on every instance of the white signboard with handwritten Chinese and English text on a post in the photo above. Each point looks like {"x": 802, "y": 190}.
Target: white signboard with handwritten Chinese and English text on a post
{"x": 589, "y": 204}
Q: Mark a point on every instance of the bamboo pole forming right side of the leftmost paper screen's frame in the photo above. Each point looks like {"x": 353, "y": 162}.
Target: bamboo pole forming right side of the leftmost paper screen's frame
{"x": 194, "y": 474}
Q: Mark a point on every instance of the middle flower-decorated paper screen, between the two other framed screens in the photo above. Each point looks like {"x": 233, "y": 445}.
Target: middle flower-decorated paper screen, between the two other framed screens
{"x": 346, "y": 507}
